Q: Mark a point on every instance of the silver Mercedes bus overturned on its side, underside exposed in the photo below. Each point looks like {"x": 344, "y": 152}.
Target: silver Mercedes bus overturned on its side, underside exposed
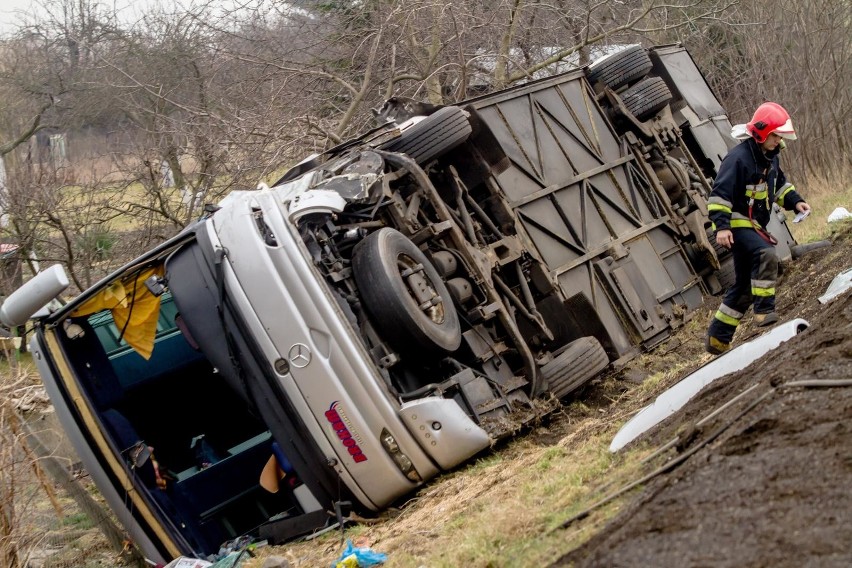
{"x": 390, "y": 308}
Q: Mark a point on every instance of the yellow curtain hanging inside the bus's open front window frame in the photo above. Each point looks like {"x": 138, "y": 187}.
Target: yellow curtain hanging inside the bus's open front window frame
{"x": 133, "y": 300}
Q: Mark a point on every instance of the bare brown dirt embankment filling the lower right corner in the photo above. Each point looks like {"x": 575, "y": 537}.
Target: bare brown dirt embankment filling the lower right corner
{"x": 773, "y": 488}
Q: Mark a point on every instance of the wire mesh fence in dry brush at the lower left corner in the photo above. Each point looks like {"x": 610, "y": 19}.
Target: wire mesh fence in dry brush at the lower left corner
{"x": 51, "y": 515}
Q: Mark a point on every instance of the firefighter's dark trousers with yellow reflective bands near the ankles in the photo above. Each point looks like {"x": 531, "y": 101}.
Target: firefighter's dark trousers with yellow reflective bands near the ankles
{"x": 756, "y": 269}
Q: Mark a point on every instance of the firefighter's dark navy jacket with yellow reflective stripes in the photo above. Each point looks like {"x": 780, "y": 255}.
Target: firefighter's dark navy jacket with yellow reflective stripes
{"x": 749, "y": 179}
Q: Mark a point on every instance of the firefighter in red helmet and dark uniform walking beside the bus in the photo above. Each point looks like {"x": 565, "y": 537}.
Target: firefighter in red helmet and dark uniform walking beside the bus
{"x": 749, "y": 182}
